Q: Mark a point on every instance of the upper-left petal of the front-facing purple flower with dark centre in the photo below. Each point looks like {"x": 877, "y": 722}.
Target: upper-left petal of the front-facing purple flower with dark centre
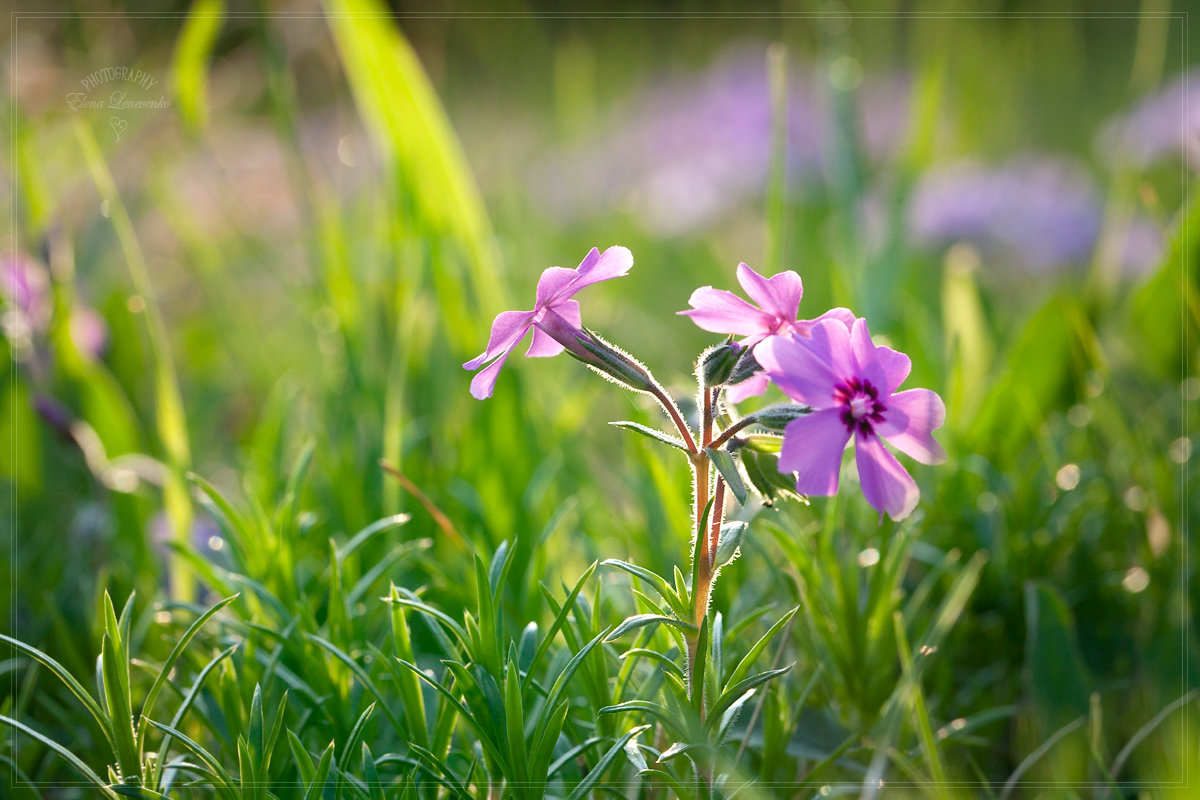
{"x": 808, "y": 370}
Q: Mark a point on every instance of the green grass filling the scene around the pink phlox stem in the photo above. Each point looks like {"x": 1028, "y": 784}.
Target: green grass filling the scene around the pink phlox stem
{"x": 506, "y": 610}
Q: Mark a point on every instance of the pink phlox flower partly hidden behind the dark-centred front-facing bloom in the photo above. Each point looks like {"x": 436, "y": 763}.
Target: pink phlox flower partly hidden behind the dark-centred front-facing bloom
{"x": 779, "y": 303}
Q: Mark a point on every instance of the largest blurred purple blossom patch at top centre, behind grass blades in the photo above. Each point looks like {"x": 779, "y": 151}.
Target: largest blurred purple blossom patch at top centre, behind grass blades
{"x": 688, "y": 151}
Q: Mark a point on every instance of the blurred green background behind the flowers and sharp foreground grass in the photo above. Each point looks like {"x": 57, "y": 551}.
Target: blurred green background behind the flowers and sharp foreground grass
{"x": 297, "y": 224}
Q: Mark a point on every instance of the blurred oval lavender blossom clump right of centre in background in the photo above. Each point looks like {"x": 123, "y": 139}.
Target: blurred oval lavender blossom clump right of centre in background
{"x": 1043, "y": 212}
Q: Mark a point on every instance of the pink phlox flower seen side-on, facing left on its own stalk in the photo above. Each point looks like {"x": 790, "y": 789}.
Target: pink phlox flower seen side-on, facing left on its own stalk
{"x": 555, "y": 312}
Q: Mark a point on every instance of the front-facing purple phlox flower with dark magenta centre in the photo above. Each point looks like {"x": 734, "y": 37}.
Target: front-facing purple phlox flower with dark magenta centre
{"x": 851, "y": 387}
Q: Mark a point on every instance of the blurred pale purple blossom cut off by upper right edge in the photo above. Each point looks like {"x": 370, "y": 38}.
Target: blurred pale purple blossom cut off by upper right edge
{"x": 1161, "y": 125}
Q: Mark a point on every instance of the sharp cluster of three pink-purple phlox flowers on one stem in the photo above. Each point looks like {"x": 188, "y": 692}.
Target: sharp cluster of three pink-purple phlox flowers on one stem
{"x": 843, "y": 387}
